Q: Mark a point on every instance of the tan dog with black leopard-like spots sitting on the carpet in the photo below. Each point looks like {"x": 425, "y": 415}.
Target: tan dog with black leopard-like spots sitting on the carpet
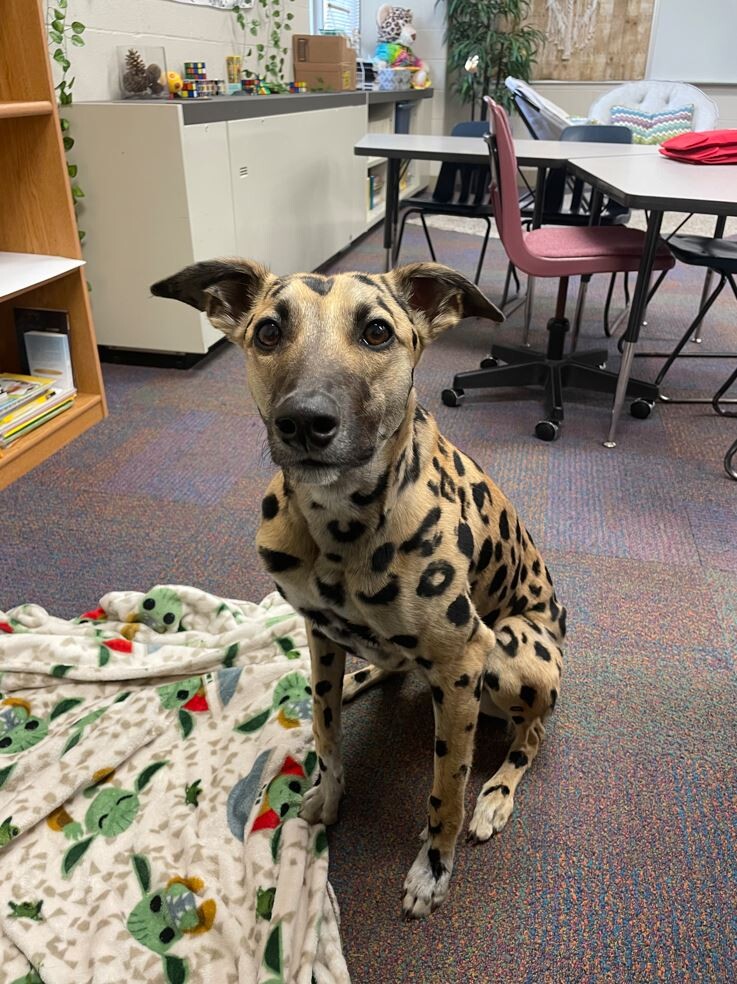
{"x": 393, "y": 544}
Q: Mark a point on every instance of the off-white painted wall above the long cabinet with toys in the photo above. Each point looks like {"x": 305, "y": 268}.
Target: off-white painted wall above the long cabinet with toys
{"x": 187, "y": 33}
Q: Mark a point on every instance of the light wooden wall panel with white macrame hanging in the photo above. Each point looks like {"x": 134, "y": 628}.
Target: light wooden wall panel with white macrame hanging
{"x": 612, "y": 47}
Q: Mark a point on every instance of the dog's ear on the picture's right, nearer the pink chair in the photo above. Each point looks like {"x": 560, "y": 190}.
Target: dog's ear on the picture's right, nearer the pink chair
{"x": 442, "y": 295}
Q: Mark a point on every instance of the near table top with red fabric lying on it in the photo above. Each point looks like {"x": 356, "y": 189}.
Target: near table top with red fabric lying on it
{"x": 661, "y": 184}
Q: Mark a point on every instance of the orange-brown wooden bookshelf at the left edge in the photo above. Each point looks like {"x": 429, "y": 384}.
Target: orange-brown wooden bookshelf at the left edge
{"x": 41, "y": 262}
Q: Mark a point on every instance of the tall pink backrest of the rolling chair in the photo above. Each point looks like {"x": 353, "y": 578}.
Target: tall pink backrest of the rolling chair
{"x": 504, "y": 194}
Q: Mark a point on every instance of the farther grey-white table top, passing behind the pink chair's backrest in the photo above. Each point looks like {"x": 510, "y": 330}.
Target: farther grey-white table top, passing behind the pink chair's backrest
{"x": 473, "y": 150}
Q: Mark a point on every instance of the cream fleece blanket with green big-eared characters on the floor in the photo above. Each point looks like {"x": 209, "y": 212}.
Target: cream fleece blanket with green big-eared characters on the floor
{"x": 153, "y": 757}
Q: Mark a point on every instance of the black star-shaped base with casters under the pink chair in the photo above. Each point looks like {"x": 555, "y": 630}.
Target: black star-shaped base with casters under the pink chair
{"x": 553, "y": 371}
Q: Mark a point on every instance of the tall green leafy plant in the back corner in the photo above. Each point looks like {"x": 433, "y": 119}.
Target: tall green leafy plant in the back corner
{"x": 496, "y": 32}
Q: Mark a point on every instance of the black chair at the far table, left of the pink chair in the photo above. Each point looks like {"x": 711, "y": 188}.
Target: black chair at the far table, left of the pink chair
{"x": 460, "y": 190}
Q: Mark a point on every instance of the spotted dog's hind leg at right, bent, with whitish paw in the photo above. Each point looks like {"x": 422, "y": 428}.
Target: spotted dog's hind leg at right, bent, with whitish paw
{"x": 522, "y": 680}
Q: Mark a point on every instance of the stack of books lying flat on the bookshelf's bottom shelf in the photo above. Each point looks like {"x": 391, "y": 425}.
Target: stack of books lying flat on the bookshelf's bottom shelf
{"x": 26, "y": 402}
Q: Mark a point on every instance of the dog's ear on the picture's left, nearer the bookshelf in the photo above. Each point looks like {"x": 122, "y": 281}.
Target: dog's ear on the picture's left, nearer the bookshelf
{"x": 224, "y": 289}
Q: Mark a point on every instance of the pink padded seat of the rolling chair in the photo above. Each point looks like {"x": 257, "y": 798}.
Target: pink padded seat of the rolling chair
{"x": 568, "y": 251}
